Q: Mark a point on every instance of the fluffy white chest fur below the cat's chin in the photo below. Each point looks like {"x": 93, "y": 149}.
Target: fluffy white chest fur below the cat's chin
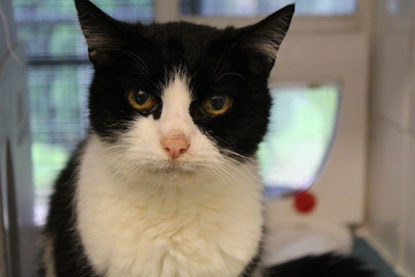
{"x": 191, "y": 226}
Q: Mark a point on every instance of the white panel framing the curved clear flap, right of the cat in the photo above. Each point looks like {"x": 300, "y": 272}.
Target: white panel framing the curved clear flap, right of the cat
{"x": 339, "y": 189}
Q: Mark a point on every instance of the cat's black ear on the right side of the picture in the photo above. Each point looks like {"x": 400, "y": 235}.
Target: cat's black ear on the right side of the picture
{"x": 260, "y": 42}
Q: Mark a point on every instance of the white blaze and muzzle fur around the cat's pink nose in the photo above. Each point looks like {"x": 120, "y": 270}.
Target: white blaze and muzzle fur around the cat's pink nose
{"x": 141, "y": 147}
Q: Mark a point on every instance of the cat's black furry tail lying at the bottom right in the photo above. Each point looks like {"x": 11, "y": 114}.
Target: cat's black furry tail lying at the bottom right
{"x": 328, "y": 265}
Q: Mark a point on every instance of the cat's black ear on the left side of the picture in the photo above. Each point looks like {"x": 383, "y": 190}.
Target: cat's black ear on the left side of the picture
{"x": 102, "y": 32}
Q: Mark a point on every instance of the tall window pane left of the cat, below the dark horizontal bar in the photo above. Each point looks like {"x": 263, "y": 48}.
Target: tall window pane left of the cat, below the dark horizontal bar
{"x": 58, "y": 121}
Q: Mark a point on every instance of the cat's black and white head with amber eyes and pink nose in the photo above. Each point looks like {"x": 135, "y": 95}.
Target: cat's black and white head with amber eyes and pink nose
{"x": 180, "y": 96}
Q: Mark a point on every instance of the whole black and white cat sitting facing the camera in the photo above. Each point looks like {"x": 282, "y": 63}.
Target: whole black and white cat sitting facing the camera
{"x": 165, "y": 184}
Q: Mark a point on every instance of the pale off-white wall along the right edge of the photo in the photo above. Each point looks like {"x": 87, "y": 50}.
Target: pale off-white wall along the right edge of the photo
{"x": 391, "y": 165}
